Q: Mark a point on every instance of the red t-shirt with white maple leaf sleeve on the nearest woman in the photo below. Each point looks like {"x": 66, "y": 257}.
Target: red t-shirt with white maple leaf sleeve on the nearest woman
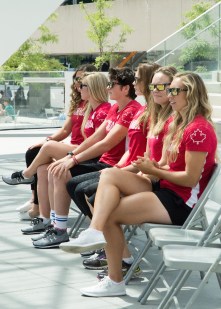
{"x": 199, "y": 135}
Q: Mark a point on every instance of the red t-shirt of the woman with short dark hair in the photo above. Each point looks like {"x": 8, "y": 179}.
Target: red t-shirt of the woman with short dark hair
{"x": 123, "y": 118}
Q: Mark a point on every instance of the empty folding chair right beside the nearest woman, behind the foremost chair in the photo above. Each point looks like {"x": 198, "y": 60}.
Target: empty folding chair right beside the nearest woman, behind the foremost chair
{"x": 162, "y": 237}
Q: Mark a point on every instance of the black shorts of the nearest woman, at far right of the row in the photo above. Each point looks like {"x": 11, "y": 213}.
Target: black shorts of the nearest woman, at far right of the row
{"x": 174, "y": 204}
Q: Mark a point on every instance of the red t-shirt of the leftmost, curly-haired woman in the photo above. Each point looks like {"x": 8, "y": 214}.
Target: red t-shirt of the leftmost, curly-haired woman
{"x": 76, "y": 119}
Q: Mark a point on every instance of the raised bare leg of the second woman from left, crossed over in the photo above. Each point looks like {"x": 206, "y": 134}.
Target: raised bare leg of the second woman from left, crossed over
{"x": 48, "y": 151}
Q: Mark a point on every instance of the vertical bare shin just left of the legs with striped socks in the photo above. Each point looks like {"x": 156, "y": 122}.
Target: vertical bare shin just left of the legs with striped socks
{"x": 44, "y": 204}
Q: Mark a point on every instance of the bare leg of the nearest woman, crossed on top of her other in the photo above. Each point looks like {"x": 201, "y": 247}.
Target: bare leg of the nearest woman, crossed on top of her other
{"x": 113, "y": 183}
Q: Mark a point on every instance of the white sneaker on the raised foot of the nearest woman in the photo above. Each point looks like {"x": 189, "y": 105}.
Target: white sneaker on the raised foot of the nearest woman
{"x": 88, "y": 240}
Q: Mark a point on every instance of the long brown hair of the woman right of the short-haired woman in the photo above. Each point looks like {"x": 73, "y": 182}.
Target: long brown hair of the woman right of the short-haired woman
{"x": 146, "y": 72}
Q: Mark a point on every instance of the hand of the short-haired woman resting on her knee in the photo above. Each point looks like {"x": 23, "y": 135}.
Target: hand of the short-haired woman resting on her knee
{"x": 60, "y": 167}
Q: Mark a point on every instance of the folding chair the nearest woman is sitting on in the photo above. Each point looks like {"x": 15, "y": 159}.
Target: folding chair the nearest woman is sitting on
{"x": 197, "y": 218}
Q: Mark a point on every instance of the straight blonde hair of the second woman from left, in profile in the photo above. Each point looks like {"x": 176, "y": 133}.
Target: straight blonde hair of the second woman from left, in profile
{"x": 97, "y": 86}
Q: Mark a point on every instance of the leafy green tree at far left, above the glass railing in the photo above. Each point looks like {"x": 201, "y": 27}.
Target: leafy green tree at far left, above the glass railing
{"x": 29, "y": 57}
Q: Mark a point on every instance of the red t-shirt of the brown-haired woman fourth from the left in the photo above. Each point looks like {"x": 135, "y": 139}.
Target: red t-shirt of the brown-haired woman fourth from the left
{"x": 137, "y": 136}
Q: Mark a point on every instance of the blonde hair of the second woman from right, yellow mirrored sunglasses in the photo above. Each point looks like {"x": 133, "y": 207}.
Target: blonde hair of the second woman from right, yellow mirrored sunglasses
{"x": 159, "y": 114}
